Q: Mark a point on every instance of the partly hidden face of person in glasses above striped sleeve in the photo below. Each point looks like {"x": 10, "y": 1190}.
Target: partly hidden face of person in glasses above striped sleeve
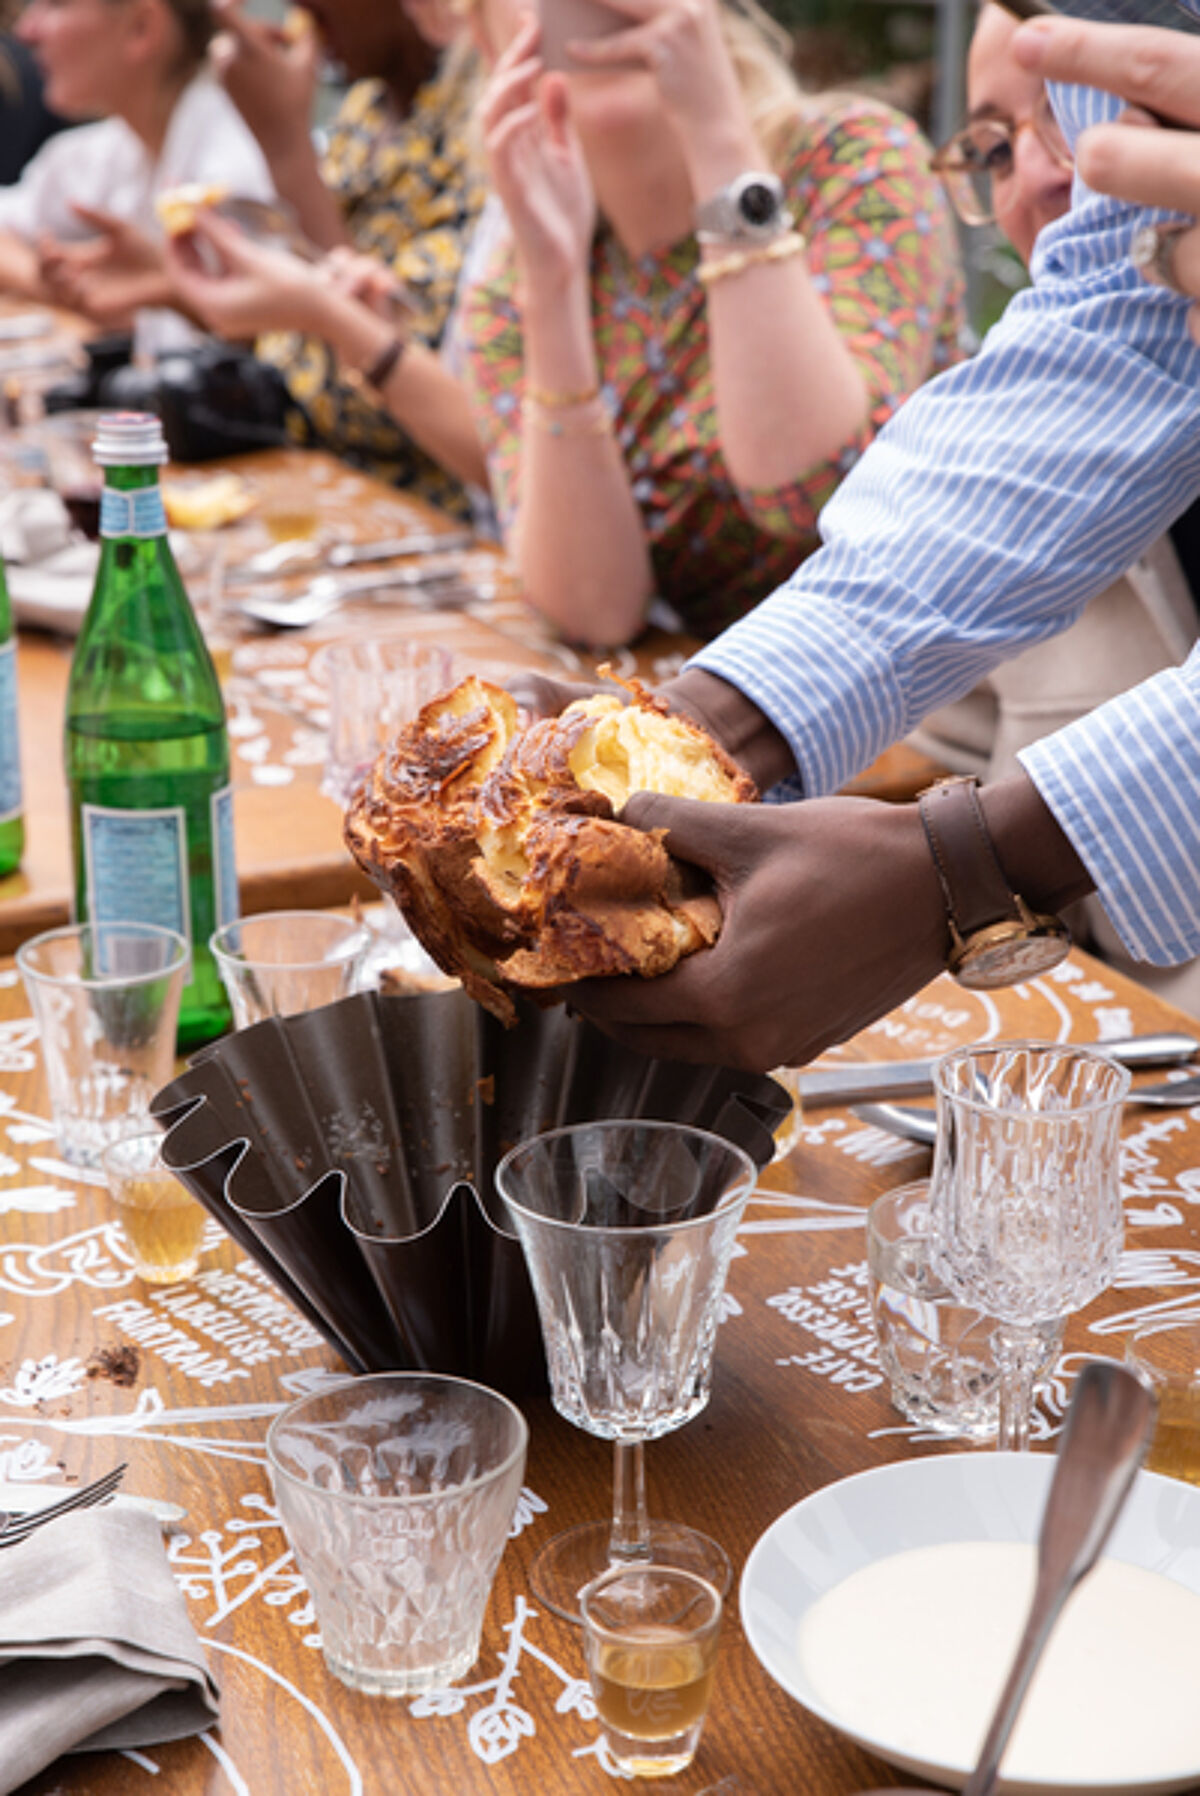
{"x": 1036, "y": 189}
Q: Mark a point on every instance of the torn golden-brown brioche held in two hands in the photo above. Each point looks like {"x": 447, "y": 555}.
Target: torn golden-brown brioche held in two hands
{"x": 502, "y": 849}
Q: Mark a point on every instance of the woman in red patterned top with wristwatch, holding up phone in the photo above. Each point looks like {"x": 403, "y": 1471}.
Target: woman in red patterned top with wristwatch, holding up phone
{"x": 666, "y": 418}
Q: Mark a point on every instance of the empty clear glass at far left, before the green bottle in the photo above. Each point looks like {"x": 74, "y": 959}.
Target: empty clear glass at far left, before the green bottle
{"x": 107, "y": 1003}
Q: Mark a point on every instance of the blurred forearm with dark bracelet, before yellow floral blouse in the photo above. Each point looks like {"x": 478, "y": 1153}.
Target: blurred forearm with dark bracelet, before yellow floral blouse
{"x": 421, "y": 392}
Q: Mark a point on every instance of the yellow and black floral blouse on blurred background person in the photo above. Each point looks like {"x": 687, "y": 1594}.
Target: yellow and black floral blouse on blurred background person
{"x": 410, "y": 191}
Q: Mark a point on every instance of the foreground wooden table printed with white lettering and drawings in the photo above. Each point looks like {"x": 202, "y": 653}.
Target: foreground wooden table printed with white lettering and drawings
{"x": 799, "y": 1402}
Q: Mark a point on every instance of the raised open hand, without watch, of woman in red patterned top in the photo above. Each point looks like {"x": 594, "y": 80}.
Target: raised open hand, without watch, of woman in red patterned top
{"x": 538, "y": 166}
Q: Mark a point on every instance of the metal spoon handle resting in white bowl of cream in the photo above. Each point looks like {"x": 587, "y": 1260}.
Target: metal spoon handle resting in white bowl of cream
{"x": 1104, "y": 1443}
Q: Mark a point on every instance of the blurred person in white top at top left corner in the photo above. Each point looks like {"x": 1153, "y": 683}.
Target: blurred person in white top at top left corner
{"x": 80, "y": 225}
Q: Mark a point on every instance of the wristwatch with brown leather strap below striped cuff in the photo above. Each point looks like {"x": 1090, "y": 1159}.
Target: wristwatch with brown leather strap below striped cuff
{"x": 996, "y": 940}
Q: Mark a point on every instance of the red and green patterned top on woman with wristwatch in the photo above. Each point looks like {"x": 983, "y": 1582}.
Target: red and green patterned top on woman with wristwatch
{"x": 881, "y": 251}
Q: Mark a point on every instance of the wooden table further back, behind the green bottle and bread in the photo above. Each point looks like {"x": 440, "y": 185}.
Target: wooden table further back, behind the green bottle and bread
{"x": 290, "y": 849}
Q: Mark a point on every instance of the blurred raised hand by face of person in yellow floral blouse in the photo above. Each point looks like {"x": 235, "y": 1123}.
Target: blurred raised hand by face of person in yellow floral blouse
{"x": 269, "y": 73}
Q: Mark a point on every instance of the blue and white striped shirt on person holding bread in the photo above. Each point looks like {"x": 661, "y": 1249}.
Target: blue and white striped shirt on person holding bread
{"x": 996, "y": 504}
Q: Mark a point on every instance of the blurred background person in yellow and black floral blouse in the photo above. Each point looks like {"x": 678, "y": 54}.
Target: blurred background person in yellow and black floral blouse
{"x": 401, "y": 184}
